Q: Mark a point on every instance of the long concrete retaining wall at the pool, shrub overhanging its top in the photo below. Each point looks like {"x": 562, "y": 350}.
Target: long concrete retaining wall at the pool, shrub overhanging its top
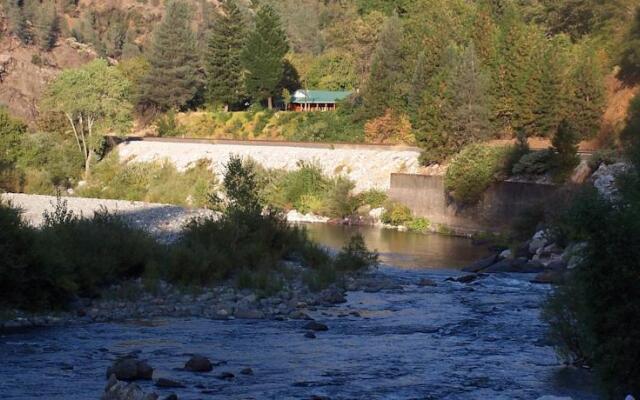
{"x": 499, "y": 206}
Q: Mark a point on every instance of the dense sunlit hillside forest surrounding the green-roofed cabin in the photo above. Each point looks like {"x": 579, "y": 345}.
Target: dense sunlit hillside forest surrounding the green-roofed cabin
{"x": 440, "y": 74}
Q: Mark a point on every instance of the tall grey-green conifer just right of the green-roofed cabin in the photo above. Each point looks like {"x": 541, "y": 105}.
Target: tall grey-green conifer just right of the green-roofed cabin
{"x": 384, "y": 89}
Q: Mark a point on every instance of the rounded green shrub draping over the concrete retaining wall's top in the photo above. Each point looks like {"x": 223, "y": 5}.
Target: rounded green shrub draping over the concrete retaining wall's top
{"x": 473, "y": 170}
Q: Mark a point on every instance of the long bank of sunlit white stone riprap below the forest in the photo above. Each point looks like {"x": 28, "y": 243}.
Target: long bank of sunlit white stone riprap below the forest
{"x": 368, "y": 168}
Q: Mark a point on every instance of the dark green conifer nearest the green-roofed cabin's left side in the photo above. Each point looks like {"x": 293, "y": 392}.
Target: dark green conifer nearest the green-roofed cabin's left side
{"x": 263, "y": 56}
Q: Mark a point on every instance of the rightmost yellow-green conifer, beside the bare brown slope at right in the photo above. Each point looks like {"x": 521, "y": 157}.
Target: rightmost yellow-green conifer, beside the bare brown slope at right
{"x": 587, "y": 96}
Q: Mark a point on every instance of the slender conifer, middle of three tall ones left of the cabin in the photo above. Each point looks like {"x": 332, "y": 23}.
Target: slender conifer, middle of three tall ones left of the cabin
{"x": 225, "y": 82}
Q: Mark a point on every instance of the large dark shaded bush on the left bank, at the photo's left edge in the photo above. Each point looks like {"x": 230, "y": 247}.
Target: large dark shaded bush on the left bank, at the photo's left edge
{"x": 69, "y": 256}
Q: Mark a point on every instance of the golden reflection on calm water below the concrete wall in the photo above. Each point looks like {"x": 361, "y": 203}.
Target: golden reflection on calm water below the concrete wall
{"x": 404, "y": 249}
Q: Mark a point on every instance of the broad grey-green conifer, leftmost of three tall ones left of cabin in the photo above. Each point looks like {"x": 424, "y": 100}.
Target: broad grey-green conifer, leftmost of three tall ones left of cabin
{"x": 173, "y": 78}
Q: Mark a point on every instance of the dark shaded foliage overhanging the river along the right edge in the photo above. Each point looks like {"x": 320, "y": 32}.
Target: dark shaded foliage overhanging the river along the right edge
{"x": 595, "y": 317}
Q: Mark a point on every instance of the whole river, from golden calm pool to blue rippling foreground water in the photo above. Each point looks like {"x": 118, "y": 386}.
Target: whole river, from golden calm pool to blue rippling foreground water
{"x": 479, "y": 341}
